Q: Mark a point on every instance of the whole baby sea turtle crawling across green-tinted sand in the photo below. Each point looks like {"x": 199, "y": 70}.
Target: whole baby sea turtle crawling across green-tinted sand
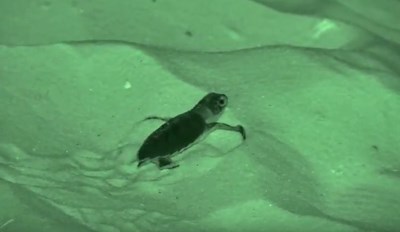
{"x": 181, "y": 131}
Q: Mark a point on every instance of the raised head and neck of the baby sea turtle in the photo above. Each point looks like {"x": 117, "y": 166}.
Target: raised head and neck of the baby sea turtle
{"x": 211, "y": 106}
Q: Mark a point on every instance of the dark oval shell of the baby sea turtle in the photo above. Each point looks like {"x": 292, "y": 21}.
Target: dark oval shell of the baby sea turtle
{"x": 173, "y": 136}
